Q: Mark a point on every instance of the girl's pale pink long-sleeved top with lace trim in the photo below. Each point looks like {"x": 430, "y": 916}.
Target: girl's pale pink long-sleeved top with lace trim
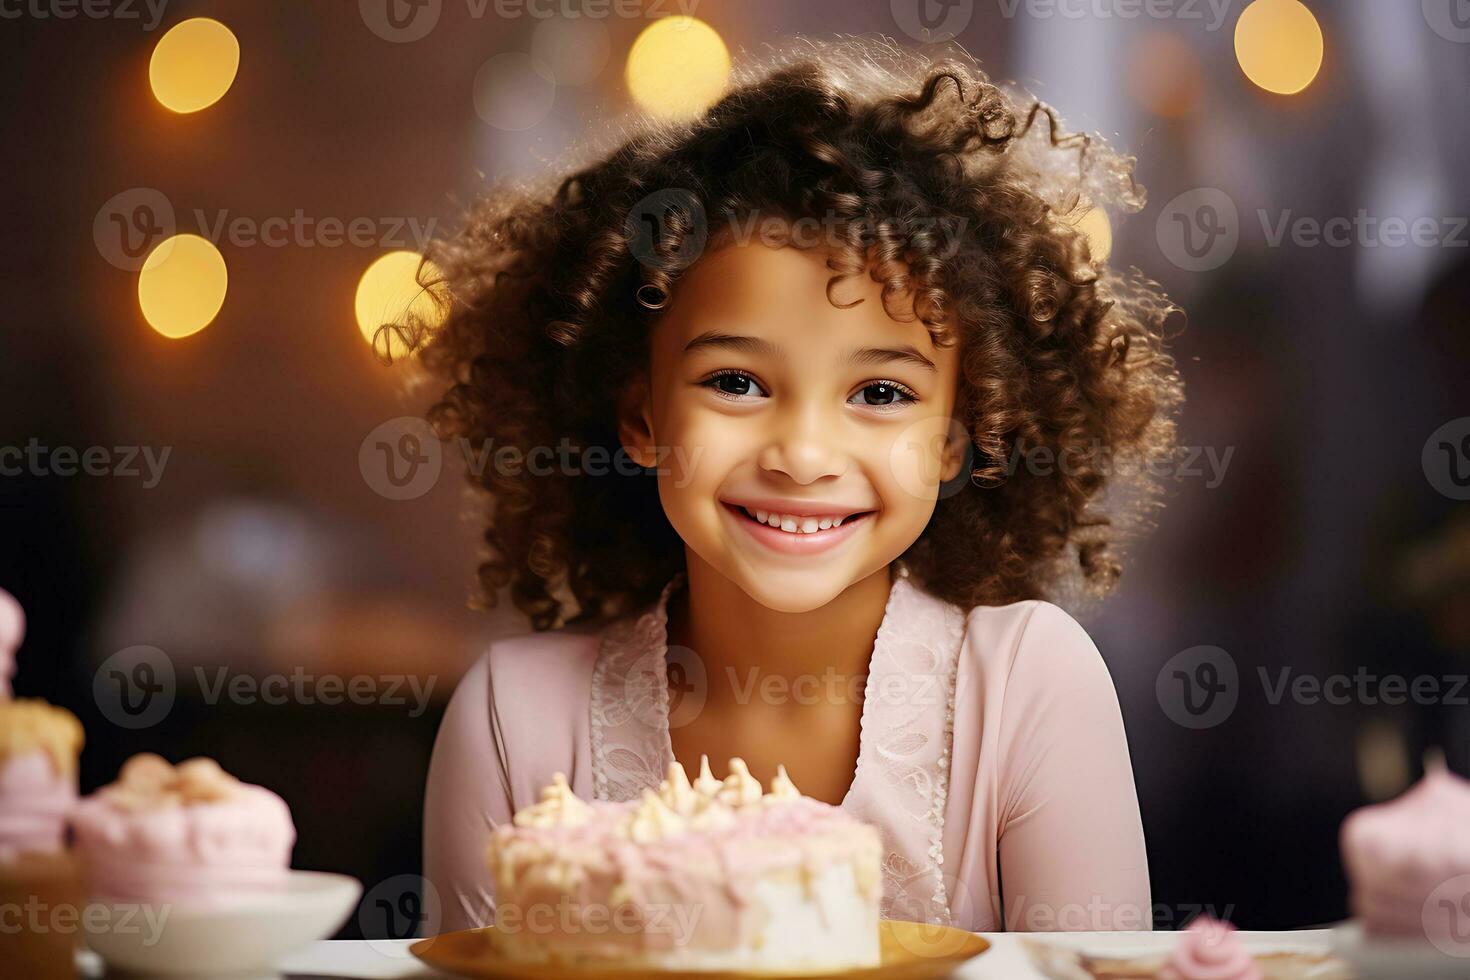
{"x": 993, "y": 760}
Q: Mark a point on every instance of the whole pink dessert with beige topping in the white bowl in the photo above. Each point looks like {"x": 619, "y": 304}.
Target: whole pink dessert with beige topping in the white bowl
{"x": 184, "y": 834}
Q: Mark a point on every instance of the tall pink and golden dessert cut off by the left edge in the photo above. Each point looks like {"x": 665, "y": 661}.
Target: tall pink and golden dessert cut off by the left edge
{"x": 39, "y": 749}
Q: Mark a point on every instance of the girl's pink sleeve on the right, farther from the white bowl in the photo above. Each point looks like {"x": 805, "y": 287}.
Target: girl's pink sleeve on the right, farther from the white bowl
{"x": 1071, "y": 837}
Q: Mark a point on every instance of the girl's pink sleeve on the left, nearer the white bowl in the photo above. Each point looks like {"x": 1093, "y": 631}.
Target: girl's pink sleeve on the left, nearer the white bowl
{"x": 467, "y": 797}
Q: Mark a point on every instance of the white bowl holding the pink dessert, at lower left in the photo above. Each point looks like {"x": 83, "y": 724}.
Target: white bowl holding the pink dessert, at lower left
{"x": 242, "y": 940}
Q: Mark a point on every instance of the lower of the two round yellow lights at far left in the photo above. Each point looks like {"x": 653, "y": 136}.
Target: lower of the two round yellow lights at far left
{"x": 183, "y": 286}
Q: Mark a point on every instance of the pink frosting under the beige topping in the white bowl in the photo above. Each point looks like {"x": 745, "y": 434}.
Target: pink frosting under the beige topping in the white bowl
{"x": 208, "y": 853}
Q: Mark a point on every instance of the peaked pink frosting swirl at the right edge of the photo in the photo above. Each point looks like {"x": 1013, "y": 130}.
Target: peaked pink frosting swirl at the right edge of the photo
{"x": 1400, "y": 853}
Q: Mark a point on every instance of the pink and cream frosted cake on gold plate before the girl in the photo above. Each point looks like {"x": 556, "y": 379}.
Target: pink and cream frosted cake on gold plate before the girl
{"x": 714, "y": 875}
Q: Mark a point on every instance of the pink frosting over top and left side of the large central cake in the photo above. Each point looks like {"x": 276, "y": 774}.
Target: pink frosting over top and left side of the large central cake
{"x": 711, "y": 872}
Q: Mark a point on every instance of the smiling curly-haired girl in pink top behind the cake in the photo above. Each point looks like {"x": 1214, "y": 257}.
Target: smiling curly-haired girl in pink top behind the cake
{"x": 809, "y": 402}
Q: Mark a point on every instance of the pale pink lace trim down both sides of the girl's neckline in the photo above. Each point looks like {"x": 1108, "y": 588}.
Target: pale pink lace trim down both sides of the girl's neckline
{"x": 906, "y": 738}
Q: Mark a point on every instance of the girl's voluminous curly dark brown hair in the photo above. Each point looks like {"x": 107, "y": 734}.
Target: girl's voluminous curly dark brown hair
{"x": 549, "y": 320}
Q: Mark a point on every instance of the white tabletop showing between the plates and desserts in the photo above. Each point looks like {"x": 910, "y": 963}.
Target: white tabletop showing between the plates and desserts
{"x": 389, "y": 960}
